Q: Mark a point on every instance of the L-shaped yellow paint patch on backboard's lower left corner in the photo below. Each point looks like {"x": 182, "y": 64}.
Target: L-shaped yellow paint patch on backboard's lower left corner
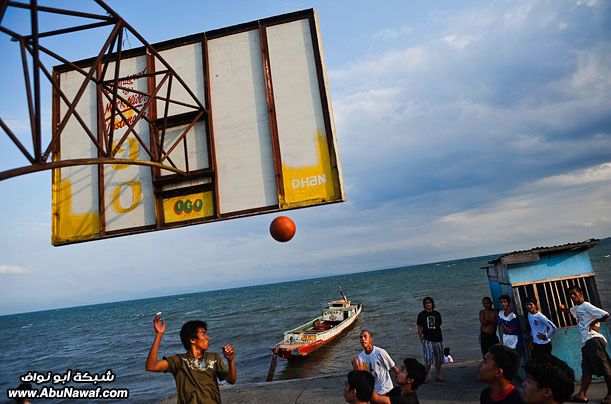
{"x": 68, "y": 226}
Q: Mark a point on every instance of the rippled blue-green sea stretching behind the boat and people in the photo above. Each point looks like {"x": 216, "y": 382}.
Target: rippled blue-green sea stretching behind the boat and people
{"x": 117, "y": 336}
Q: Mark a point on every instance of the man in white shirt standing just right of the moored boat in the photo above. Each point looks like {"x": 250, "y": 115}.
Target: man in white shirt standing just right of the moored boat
{"x": 377, "y": 361}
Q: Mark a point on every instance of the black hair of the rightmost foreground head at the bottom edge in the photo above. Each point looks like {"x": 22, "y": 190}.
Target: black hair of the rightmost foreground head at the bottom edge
{"x": 553, "y": 373}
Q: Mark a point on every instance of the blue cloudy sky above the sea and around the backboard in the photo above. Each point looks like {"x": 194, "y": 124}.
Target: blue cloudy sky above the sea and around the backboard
{"x": 465, "y": 128}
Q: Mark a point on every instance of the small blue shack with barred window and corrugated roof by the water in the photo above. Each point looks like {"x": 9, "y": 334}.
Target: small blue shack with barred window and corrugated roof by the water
{"x": 547, "y": 273}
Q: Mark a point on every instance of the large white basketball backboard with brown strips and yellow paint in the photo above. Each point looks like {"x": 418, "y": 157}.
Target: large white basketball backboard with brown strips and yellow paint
{"x": 241, "y": 121}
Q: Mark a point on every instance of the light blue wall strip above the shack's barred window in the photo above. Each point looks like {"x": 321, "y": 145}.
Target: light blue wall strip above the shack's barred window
{"x": 554, "y": 266}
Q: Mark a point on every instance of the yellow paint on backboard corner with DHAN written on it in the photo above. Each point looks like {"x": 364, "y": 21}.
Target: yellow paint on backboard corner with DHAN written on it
{"x": 305, "y": 185}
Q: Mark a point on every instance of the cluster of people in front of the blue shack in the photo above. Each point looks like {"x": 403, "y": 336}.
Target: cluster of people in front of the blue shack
{"x": 553, "y": 373}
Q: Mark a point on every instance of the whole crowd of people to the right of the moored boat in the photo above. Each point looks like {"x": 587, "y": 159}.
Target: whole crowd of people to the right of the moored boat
{"x": 547, "y": 380}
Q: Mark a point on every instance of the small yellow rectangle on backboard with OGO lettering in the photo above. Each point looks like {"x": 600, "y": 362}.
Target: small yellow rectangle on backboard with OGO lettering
{"x": 188, "y": 207}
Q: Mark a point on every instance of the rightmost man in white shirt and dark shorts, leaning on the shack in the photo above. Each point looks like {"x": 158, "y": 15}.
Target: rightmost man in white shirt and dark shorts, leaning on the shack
{"x": 594, "y": 357}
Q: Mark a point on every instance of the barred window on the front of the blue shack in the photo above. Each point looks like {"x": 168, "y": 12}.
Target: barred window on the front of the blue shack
{"x": 550, "y": 294}
